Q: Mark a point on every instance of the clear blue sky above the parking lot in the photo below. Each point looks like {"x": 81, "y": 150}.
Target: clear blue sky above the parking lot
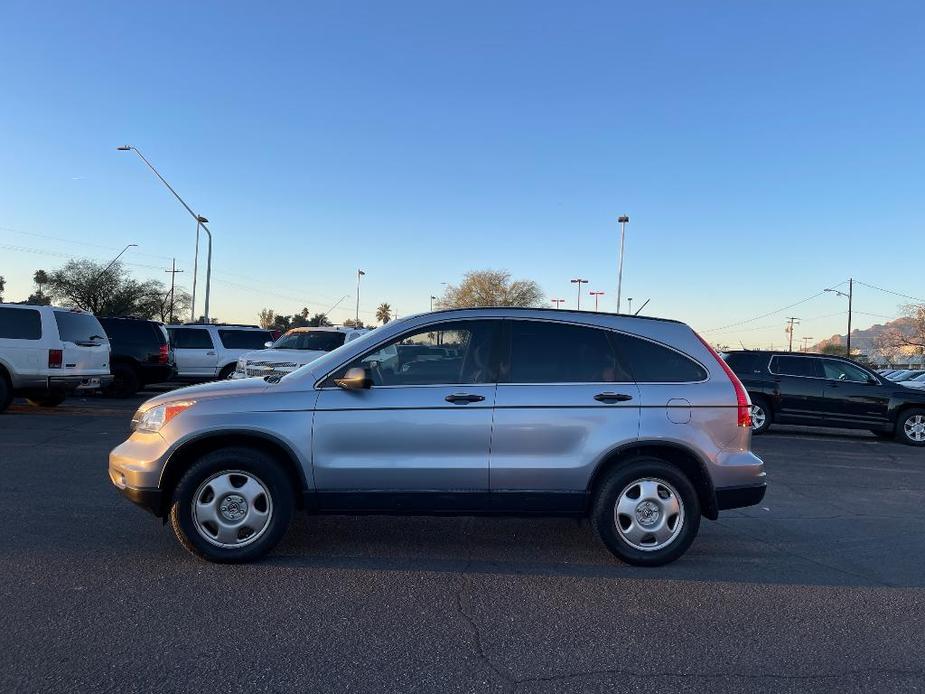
{"x": 764, "y": 150}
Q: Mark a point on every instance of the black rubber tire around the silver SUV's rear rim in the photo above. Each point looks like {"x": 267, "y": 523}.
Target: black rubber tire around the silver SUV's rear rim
{"x": 604, "y": 518}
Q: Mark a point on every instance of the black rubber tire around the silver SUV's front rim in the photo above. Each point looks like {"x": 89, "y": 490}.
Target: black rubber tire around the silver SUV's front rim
{"x": 256, "y": 464}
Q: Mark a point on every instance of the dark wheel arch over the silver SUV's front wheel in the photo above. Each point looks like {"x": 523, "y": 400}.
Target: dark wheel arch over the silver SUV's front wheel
{"x": 183, "y": 458}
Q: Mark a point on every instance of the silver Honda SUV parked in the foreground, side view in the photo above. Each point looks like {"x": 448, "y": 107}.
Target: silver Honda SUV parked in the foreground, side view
{"x": 635, "y": 423}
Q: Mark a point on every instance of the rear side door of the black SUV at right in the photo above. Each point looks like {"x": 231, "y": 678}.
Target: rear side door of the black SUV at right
{"x": 801, "y": 386}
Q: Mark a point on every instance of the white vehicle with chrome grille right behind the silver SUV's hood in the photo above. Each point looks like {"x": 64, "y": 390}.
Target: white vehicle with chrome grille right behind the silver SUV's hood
{"x": 294, "y": 349}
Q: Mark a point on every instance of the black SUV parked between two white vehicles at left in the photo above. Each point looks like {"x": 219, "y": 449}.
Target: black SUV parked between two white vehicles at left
{"x": 140, "y": 354}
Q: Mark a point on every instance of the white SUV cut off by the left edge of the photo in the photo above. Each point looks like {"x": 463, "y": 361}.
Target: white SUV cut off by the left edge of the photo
{"x": 46, "y": 352}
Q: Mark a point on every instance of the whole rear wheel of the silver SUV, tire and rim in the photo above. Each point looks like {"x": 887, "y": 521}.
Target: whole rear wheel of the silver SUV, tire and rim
{"x": 646, "y": 512}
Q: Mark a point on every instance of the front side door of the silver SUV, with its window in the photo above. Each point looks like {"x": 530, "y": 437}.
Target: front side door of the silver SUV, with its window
{"x": 420, "y": 435}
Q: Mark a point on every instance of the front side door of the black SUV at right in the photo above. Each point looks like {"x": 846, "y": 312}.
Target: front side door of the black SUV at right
{"x": 854, "y": 397}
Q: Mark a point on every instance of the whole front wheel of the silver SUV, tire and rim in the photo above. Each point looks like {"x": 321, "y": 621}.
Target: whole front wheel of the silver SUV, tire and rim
{"x": 232, "y": 506}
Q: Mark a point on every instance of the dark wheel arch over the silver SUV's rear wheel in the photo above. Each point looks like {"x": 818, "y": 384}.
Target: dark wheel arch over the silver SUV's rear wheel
{"x": 682, "y": 457}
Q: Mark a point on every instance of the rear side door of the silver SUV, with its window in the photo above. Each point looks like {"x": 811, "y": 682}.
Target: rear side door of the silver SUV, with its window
{"x": 562, "y": 401}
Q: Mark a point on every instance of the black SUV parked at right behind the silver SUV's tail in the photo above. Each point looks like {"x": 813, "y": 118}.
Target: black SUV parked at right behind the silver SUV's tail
{"x": 822, "y": 390}
